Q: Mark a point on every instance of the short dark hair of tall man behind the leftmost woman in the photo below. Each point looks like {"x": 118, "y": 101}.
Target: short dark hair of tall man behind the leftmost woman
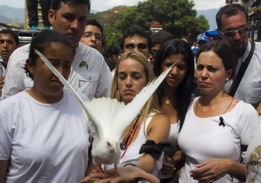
{"x": 56, "y": 4}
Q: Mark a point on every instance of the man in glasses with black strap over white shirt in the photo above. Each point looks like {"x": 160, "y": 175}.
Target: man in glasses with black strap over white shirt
{"x": 232, "y": 22}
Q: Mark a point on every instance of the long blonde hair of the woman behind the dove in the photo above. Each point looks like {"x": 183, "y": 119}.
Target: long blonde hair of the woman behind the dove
{"x": 152, "y": 105}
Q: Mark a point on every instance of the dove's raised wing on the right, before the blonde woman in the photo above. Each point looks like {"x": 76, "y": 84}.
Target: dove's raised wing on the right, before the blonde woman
{"x": 132, "y": 109}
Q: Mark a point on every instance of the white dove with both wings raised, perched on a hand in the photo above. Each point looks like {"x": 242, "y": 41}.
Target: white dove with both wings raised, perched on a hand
{"x": 108, "y": 118}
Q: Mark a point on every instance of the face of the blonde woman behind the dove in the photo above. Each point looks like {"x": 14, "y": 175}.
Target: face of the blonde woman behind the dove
{"x": 131, "y": 79}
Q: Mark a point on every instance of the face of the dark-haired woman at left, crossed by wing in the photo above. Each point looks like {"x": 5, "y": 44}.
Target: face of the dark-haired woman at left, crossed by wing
{"x": 46, "y": 84}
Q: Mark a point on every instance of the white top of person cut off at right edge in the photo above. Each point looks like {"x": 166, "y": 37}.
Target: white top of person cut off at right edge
{"x": 253, "y": 157}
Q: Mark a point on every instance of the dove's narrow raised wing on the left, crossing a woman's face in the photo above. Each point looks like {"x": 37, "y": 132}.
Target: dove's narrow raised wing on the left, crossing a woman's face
{"x": 92, "y": 125}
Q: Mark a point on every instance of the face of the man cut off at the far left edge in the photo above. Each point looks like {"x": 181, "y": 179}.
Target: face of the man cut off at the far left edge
{"x": 7, "y": 46}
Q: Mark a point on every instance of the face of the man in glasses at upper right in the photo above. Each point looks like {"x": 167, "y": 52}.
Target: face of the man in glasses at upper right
{"x": 235, "y": 32}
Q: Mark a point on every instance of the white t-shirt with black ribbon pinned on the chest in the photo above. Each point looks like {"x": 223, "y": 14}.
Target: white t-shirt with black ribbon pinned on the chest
{"x": 202, "y": 138}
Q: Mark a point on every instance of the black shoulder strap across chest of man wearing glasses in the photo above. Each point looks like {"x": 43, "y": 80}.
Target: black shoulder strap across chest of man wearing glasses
{"x": 241, "y": 71}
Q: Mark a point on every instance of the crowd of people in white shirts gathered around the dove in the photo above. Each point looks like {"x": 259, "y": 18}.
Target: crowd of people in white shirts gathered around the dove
{"x": 201, "y": 125}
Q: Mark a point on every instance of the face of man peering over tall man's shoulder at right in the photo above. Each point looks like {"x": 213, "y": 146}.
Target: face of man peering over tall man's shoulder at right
{"x": 93, "y": 37}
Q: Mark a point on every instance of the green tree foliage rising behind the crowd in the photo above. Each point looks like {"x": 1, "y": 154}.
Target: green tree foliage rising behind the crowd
{"x": 177, "y": 17}
